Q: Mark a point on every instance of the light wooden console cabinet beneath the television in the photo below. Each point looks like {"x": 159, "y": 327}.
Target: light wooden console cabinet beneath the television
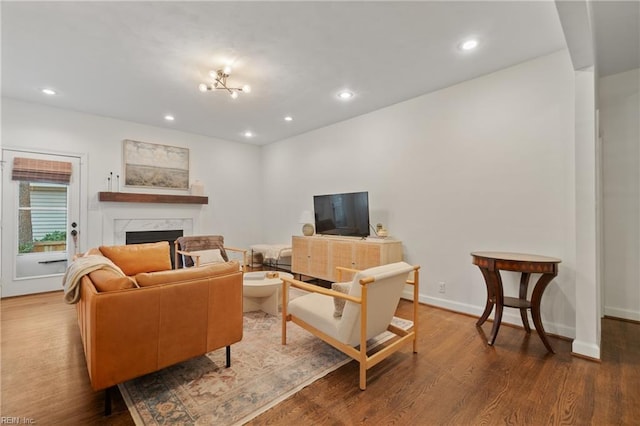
{"x": 318, "y": 256}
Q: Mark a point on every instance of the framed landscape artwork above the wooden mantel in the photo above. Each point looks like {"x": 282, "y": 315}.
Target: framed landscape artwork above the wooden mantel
{"x": 152, "y": 165}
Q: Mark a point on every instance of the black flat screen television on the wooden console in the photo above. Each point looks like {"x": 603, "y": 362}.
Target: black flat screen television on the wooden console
{"x": 342, "y": 214}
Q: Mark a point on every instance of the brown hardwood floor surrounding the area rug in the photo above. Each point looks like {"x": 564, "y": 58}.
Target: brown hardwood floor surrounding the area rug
{"x": 454, "y": 379}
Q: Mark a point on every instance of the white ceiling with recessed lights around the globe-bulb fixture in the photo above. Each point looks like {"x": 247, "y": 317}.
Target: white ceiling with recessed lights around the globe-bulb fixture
{"x": 139, "y": 61}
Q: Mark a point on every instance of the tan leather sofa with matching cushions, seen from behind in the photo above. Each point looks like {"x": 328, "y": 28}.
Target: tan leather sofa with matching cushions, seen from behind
{"x": 174, "y": 315}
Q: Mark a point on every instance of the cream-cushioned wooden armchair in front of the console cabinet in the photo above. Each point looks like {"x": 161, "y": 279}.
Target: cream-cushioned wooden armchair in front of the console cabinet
{"x": 369, "y": 307}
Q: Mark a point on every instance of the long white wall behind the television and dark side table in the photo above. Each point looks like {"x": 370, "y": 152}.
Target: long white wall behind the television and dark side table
{"x": 487, "y": 164}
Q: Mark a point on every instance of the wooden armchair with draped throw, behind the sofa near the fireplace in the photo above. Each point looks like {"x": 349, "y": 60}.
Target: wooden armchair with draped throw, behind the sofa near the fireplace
{"x": 200, "y": 250}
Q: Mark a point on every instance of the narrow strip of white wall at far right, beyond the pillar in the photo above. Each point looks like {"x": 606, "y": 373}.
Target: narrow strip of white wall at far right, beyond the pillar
{"x": 620, "y": 130}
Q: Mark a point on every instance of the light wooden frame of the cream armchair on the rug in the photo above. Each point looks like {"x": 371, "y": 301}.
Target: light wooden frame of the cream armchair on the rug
{"x": 401, "y": 337}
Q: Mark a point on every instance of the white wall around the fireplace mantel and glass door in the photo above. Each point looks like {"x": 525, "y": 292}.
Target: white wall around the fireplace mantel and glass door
{"x": 230, "y": 171}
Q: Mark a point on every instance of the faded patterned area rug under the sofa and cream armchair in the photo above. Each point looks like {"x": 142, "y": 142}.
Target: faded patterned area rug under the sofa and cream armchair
{"x": 263, "y": 373}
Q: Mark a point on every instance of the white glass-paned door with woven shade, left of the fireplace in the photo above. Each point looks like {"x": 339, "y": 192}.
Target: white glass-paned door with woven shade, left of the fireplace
{"x": 39, "y": 223}
